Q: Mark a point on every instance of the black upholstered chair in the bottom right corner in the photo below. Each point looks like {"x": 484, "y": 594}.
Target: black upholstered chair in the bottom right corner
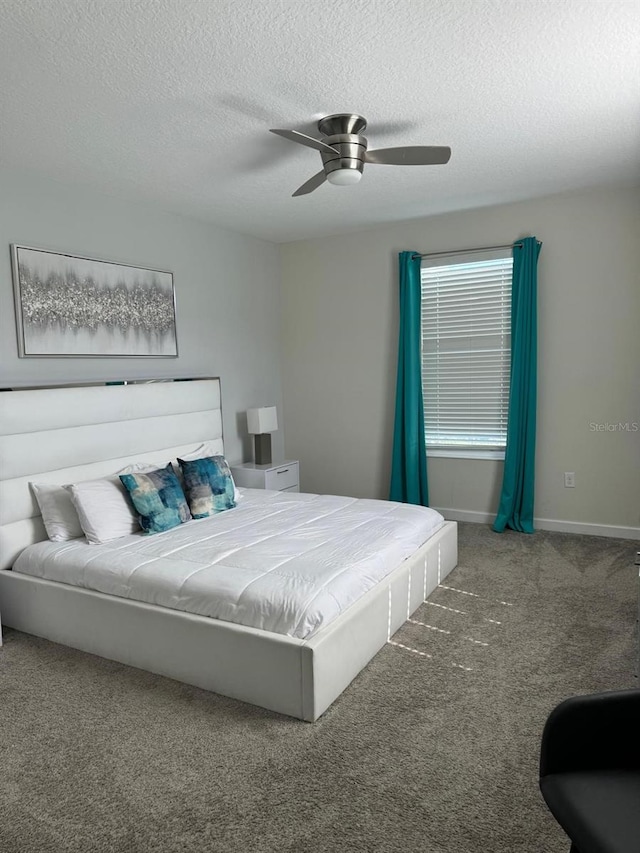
{"x": 590, "y": 771}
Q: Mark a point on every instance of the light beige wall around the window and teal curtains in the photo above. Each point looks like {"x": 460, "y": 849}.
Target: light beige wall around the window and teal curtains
{"x": 340, "y": 317}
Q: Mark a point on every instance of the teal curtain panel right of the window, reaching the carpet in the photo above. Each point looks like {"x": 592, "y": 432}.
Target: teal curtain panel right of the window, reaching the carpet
{"x": 518, "y": 483}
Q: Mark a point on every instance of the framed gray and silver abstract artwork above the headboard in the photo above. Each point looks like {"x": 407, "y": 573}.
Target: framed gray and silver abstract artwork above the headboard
{"x": 67, "y": 305}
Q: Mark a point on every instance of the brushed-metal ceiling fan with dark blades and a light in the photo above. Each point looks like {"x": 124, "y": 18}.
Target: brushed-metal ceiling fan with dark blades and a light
{"x": 344, "y": 151}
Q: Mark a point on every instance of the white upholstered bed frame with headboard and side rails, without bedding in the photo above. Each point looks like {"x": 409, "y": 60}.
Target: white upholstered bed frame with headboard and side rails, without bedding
{"x": 67, "y": 434}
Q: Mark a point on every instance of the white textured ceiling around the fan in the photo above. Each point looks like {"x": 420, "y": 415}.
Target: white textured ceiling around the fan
{"x": 170, "y": 101}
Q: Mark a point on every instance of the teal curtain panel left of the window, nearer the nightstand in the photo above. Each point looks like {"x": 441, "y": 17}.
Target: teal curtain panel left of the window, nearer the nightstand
{"x": 409, "y": 461}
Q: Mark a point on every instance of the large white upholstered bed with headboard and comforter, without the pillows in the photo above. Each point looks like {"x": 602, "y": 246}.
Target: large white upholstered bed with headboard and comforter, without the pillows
{"x": 288, "y": 660}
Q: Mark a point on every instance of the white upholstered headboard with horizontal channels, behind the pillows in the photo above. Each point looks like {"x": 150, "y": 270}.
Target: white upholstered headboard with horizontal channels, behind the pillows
{"x": 72, "y": 433}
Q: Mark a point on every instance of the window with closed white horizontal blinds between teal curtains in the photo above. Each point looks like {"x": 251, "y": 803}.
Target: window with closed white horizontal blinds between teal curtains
{"x": 466, "y": 349}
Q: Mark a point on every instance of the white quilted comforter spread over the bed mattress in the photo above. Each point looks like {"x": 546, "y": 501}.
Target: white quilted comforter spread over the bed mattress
{"x": 280, "y": 561}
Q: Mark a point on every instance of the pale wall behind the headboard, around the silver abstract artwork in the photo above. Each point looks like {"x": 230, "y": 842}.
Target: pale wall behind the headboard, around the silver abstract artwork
{"x": 227, "y": 294}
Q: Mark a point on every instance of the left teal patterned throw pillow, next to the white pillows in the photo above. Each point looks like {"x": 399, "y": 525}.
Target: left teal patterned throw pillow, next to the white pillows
{"x": 158, "y": 499}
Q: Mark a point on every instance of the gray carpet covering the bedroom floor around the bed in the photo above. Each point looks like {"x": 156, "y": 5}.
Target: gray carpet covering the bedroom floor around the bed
{"x": 434, "y": 747}
